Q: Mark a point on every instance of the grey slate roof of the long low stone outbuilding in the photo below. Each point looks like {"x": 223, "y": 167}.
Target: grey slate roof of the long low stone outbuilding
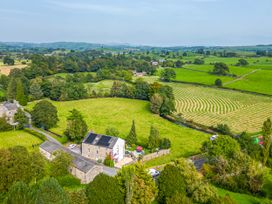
{"x": 79, "y": 161}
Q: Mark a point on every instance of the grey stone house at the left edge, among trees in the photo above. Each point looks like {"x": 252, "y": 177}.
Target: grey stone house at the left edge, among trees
{"x": 8, "y": 110}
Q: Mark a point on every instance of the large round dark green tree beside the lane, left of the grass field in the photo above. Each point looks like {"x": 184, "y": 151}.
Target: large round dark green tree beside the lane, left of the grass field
{"x": 44, "y": 115}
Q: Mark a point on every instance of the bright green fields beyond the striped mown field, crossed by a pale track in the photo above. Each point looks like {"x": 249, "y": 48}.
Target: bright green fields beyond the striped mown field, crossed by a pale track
{"x": 255, "y": 77}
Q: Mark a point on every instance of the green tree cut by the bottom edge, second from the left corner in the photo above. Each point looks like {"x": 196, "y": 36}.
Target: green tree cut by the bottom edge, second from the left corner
{"x": 50, "y": 192}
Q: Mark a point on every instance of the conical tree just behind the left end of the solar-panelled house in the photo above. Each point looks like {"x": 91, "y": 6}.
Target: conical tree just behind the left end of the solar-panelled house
{"x": 76, "y": 126}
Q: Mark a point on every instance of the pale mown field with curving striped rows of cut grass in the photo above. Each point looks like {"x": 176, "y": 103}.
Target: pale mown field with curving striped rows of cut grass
{"x": 210, "y": 106}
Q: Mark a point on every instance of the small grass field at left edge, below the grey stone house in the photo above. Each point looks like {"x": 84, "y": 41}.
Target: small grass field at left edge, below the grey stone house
{"x": 15, "y": 138}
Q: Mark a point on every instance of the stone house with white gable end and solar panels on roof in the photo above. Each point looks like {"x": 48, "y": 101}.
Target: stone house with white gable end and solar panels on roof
{"x": 97, "y": 147}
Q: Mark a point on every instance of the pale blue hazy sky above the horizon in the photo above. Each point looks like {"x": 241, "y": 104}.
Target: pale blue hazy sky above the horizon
{"x": 138, "y": 22}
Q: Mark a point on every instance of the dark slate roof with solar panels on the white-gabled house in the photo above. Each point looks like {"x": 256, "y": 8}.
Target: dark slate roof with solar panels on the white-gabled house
{"x": 100, "y": 140}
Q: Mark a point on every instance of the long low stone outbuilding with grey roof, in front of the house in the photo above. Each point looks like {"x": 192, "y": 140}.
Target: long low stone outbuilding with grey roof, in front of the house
{"x": 82, "y": 168}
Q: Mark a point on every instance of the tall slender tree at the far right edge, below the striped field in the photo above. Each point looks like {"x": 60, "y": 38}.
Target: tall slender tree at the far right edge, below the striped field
{"x": 267, "y": 132}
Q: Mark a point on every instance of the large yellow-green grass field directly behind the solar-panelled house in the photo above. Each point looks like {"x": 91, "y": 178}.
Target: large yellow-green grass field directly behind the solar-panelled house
{"x": 119, "y": 113}
